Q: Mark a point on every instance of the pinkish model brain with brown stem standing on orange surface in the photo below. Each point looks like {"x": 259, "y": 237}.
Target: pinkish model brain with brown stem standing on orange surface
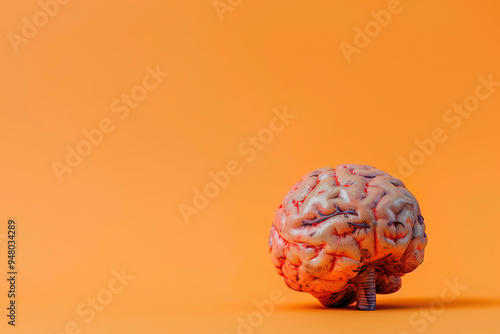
{"x": 344, "y": 234}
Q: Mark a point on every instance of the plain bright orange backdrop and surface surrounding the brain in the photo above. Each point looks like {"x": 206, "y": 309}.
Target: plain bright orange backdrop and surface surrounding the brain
{"x": 120, "y": 207}
